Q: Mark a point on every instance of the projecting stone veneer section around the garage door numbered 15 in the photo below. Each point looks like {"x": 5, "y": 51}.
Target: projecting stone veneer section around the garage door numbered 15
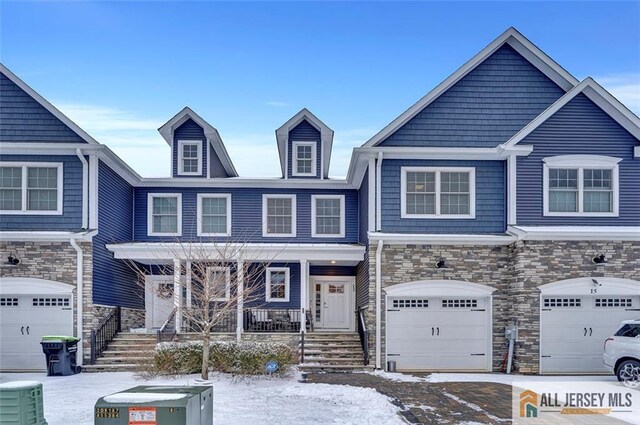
{"x": 540, "y": 262}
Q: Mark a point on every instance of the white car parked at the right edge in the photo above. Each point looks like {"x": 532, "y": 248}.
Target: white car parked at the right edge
{"x": 622, "y": 352}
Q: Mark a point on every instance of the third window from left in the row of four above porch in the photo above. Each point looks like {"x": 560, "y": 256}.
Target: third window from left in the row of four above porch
{"x": 279, "y": 215}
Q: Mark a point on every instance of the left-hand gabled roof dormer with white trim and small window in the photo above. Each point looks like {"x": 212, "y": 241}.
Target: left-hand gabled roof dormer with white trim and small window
{"x": 197, "y": 149}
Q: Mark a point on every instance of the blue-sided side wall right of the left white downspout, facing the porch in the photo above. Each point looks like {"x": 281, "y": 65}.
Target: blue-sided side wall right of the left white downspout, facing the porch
{"x": 114, "y": 282}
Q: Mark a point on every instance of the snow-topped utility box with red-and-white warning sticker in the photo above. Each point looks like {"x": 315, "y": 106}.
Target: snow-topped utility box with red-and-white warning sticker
{"x": 156, "y": 405}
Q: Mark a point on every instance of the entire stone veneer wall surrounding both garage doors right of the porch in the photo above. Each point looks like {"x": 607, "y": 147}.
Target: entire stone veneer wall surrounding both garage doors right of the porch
{"x": 515, "y": 271}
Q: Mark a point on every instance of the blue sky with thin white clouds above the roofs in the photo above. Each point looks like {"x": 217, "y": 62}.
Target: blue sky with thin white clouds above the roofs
{"x": 122, "y": 69}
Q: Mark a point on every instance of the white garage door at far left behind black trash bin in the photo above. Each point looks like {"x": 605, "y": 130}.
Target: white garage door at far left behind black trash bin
{"x": 25, "y": 318}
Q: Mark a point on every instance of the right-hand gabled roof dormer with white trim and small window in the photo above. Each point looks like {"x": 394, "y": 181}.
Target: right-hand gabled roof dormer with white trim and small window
{"x": 304, "y": 145}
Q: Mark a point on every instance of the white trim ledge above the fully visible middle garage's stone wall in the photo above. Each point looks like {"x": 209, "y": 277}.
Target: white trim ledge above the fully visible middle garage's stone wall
{"x": 444, "y": 239}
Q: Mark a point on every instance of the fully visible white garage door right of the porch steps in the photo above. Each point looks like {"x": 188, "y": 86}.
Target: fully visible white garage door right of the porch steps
{"x": 447, "y": 333}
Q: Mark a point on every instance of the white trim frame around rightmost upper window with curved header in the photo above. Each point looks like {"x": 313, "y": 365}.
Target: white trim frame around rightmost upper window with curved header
{"x": 580, "y": 162}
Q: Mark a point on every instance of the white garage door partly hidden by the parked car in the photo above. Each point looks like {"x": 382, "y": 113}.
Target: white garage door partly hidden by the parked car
{"x": 573, "y": 326}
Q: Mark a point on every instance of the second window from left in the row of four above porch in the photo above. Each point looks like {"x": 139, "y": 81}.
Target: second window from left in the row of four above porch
{"x": 214, "y": 214}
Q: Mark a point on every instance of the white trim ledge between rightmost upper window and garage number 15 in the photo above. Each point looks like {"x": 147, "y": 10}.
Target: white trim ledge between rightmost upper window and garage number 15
{"x": 576, "y": 233}
